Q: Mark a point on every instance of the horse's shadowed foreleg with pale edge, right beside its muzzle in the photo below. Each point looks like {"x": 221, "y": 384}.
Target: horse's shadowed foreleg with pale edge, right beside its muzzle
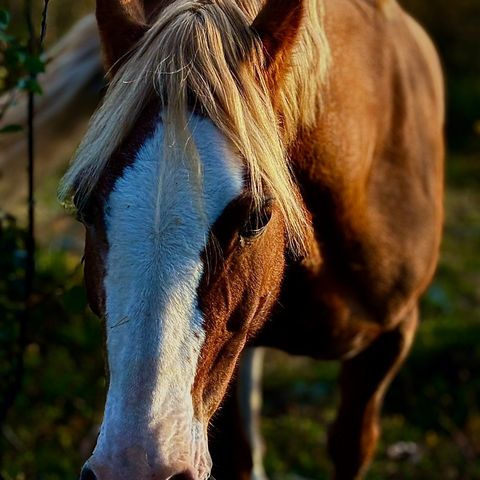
{"x": 235, "y": 441}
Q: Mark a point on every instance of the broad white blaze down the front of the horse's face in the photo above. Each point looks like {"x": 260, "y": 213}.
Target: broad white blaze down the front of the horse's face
{"x": 156, "y": 234}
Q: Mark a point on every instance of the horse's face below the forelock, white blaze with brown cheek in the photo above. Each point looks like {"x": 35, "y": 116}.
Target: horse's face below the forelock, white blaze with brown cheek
{"x": 182, "y": 285}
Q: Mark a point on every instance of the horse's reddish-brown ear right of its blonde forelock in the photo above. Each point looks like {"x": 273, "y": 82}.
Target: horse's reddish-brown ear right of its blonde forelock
{"x": 278, "y": 25}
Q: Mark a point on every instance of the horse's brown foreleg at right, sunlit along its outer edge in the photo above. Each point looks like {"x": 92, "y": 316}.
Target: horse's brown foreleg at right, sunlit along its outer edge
{"x": 364, "y": 380}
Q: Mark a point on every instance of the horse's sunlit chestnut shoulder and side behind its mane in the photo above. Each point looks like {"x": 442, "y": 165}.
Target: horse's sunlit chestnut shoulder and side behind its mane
{"x": 378, "y": 148}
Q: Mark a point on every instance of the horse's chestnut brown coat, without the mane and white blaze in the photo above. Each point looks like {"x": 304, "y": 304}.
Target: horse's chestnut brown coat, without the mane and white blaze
{"x": 370, "y": 176}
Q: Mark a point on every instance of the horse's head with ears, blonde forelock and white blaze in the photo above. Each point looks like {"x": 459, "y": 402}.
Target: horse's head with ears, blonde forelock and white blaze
{"x": 189, "y": 210}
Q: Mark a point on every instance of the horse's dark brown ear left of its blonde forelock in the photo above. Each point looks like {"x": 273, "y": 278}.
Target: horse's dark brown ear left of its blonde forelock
{"x": 121, "y": 23}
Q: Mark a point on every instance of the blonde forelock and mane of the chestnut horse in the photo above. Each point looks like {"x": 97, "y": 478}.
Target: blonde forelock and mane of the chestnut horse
{"x": 207, "y": 51}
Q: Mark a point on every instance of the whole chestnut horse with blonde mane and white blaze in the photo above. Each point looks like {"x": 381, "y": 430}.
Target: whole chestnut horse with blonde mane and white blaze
{"x": 260, "y": 173}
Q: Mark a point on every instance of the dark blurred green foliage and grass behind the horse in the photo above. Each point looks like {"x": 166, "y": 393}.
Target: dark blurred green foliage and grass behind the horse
{"x": 432, "y": 415}
